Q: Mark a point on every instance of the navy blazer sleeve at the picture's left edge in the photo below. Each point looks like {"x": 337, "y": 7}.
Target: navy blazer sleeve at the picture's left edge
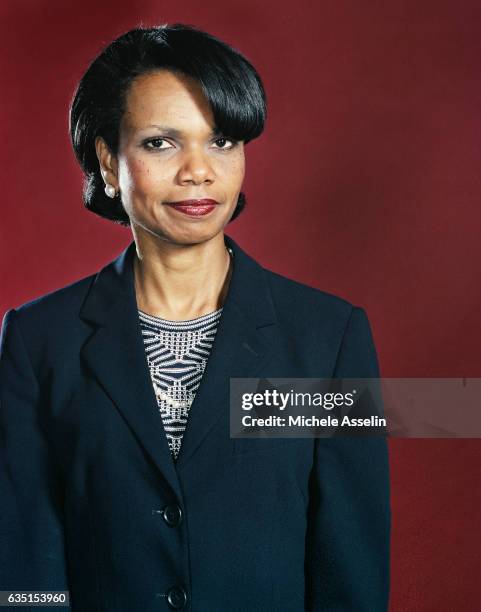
{"x": 32, "y": 553}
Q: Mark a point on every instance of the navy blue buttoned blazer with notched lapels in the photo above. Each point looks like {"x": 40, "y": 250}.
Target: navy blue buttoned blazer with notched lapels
{"x": 93, "y": 503}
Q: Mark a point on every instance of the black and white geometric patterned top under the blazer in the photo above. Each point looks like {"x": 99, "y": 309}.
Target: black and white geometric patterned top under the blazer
{"x": 177, "y": 353}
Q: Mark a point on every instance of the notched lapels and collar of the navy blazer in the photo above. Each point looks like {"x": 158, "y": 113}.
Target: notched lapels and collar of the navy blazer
{"x": 116, "y": 356}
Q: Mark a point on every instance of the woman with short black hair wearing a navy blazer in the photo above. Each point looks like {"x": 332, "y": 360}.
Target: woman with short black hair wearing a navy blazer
{"x": 120, "y": 481}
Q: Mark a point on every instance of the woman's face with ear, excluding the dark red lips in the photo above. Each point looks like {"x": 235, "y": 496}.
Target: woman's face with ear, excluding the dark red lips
{"x": 169, "y": 153}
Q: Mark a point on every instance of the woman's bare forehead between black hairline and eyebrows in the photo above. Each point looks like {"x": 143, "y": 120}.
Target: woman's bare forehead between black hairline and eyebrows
{"x": 165, "y": 97}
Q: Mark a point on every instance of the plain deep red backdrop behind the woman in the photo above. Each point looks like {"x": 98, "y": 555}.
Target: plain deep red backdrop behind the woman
{"x": 366, "y": 183}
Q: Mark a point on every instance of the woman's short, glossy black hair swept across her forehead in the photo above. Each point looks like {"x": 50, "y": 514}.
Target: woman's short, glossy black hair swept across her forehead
{"x": 228, "y": 80}
